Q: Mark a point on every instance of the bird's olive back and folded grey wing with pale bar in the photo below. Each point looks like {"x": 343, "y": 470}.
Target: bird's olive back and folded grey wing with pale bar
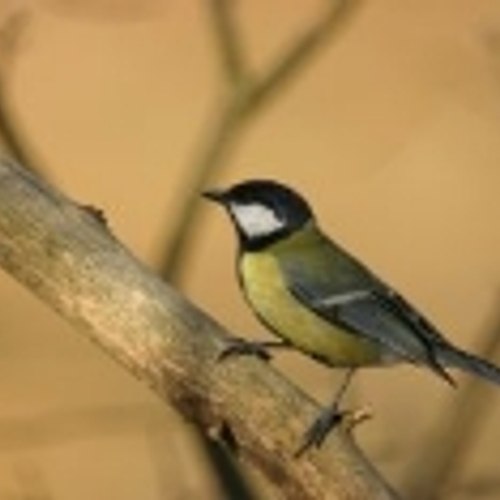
{"x": 358, "y": 301}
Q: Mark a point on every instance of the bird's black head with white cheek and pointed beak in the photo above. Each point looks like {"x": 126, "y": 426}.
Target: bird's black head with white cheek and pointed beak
{"x": 263, "y": 211}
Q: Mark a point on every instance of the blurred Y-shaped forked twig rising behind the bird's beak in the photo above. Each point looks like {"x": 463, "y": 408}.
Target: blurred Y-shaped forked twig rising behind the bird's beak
{"x": 241, "y": 102}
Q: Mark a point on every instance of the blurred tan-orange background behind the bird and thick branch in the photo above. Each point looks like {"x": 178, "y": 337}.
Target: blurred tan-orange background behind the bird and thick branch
{"x": 389, "y": 123}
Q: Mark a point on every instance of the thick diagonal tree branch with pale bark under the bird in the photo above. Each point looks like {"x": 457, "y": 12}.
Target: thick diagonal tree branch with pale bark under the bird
{"x": 65, "y": 254}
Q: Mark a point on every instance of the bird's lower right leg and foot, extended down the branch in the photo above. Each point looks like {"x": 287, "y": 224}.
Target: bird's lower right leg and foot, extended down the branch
{"x": 330, "y": 417}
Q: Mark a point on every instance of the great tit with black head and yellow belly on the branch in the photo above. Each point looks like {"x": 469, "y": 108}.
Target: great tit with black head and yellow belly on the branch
{"x": 322, "y": 301}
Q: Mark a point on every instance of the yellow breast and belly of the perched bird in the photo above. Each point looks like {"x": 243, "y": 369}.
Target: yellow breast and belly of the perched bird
{"x": 269, "y": 297}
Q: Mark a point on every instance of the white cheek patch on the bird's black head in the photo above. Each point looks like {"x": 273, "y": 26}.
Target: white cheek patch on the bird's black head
{"x": 256, "y": 220}
